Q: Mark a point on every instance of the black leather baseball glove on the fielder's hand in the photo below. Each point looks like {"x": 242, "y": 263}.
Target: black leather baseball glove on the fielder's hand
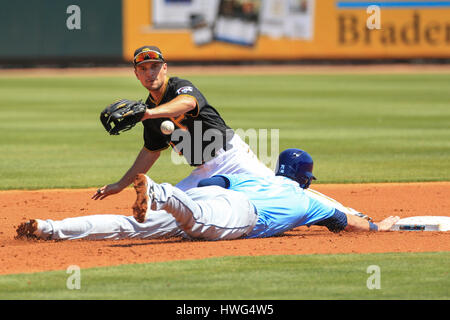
{"x": 122, "y": 115}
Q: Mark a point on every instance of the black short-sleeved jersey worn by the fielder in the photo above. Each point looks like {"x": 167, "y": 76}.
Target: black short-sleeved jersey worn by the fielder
{"x": 202, "y": 128}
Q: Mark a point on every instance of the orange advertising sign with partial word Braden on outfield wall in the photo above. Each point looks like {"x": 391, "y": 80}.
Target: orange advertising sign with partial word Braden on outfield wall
{"x": 228, "y": 30}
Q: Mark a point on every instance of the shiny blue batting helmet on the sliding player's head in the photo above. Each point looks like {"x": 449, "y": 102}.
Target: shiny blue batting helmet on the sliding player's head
{"x": 297, "y": 165}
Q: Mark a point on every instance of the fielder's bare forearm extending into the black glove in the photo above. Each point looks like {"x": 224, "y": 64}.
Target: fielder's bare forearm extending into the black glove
{"x": 178, "y": 106}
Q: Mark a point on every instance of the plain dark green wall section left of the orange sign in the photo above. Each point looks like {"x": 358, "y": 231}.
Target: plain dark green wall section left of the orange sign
{"x": 60, "y": 29}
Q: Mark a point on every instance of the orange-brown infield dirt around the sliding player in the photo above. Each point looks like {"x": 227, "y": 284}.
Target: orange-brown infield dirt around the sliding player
{"x": 377, "y": 200}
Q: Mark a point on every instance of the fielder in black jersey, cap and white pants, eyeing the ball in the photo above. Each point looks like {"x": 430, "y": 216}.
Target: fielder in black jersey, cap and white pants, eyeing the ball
{"x": 202, "y": 136}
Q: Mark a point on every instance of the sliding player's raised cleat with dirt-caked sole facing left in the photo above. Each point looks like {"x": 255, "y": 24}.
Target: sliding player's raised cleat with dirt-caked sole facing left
{"x": 144, "y": 196}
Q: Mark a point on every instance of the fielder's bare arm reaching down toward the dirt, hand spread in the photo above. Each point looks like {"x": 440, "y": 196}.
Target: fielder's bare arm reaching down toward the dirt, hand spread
{"x": 144, "y": 161}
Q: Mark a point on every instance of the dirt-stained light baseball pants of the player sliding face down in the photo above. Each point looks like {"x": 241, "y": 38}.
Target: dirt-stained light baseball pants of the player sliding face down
{"x": 209, "y": 213}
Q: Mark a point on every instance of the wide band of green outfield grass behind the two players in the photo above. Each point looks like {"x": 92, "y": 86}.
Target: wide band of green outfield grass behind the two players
{"x": 359, "y": 128}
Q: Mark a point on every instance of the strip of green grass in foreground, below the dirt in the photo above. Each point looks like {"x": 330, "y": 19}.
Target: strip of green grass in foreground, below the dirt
{"x": 342, "y": 276}
